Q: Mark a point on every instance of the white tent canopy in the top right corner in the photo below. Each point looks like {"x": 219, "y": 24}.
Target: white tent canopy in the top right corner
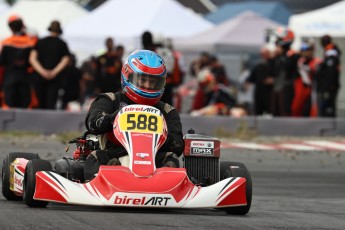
{"x": 328, "y": 20}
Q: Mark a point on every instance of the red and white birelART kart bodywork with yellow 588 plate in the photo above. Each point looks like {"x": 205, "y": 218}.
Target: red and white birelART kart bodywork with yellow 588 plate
{"x": 142, "y": 131}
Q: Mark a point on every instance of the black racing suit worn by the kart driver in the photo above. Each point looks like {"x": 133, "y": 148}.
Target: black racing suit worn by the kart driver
{"x": 110, "y": 103}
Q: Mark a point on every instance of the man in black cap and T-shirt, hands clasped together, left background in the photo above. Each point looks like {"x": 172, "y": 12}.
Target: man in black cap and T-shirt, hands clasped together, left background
{"x": 49, "y": 57}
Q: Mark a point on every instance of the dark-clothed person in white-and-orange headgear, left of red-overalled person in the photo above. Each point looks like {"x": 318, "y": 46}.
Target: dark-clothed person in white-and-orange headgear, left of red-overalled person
{"x": 285, "y": 71}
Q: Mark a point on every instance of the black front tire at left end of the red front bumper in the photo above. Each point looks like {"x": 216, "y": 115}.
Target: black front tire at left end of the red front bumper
{"x": 29, "y": 184}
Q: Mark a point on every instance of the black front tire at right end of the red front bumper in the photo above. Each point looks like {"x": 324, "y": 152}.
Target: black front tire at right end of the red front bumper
{"x": 237, "y": 169}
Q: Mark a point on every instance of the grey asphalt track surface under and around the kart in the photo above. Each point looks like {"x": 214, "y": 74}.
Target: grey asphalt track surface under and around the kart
{"x": 291, "y": 190}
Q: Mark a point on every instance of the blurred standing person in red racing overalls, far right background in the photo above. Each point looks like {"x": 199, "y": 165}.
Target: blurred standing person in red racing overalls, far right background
{"x": 303, "y": 103}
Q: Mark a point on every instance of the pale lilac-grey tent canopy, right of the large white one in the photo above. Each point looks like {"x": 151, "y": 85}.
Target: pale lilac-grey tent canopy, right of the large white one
{"x": 247, "y": 31}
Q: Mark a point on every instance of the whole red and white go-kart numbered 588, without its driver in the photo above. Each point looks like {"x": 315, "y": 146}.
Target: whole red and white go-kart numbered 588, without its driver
{"x": 203, "y": 182}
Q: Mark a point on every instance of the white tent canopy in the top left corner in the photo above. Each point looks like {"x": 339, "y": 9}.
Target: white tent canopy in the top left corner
{"x": 37, "y": 15}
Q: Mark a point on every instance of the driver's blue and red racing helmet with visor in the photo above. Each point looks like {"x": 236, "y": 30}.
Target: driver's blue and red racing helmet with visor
{"x": 143, "y": 77}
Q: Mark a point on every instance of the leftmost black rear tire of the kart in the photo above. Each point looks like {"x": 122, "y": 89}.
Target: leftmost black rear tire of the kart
{"x": 6, "y": 191}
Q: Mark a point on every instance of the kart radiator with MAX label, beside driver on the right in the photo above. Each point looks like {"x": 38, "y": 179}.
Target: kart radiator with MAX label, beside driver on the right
{"x": 201, "y": 158}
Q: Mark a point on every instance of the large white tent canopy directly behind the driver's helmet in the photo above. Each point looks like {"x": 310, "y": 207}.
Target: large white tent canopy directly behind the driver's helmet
{"x": 125, "y": 21}
